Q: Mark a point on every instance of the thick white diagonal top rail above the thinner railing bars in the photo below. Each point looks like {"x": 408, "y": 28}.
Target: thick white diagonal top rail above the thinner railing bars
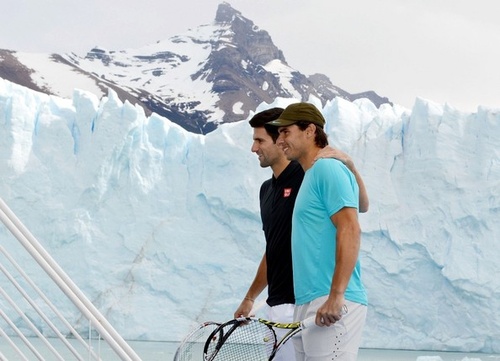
{"x": 55, "y": 272}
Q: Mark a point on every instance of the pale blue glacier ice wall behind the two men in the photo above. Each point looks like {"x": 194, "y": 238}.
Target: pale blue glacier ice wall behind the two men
{"x": 160, "y": 226}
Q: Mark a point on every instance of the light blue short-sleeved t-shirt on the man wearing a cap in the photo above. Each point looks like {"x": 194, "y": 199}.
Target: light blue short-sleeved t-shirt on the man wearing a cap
{"x": 328, "y": 186}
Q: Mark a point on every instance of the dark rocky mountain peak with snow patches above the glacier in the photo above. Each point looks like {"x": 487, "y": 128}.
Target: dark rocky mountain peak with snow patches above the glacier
{"x": 212, "y": 74}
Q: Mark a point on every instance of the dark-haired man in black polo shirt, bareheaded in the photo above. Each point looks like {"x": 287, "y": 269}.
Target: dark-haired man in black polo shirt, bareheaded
{"x": 277, "y": 198}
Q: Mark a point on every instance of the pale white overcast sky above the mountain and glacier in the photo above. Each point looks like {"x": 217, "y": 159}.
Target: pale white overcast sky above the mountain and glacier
{"x": 447, "y": 51}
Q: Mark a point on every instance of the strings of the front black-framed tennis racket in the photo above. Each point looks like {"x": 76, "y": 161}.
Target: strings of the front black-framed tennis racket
{"x": 250, "y": 341}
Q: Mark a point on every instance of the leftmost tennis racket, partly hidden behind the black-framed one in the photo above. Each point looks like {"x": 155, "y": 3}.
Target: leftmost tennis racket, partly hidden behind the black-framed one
{"x": 191, "y": 348}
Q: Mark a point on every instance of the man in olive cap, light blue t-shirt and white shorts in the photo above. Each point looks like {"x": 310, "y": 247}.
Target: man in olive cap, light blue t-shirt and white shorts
{"x": 325, "y": 242}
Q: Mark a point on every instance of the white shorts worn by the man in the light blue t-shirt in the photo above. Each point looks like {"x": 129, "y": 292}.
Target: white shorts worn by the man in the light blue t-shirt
{"x": 339, "y": 341}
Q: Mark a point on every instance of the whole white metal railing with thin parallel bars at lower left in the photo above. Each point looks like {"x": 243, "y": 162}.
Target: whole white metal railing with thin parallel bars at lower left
{"x": 23, "y": 324}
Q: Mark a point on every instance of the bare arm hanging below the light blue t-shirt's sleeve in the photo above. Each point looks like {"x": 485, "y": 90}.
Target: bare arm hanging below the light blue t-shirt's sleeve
{"x": 348, "y": 244}
